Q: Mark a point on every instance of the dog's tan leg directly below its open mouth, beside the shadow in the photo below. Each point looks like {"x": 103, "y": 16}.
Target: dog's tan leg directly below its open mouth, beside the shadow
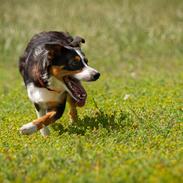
{"x": 73, "y": 110}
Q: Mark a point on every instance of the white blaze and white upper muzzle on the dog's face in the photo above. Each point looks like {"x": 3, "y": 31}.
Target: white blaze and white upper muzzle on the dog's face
{"x": 87, "y": 72}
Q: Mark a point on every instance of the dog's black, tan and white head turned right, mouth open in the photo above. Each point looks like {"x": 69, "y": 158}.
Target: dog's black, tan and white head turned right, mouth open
{"x": 69, "y": 65}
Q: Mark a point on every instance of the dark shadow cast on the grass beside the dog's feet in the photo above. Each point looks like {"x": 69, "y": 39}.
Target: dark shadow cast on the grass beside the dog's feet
{"x": 98, "y": 119}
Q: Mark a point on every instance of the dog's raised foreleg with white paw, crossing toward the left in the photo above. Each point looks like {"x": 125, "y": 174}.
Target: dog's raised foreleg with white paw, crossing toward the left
{"x": 50, "y": 117}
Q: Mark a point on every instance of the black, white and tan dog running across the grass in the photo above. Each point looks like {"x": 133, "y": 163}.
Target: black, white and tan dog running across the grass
{"x": 53, "y": 66}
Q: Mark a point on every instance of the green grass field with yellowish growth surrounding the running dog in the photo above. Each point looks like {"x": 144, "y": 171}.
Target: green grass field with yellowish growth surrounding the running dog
{"x": 131, "y": 129}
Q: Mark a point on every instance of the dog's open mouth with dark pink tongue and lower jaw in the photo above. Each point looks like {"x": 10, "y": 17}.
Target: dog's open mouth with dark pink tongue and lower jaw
{"x": 76, "y": 89}
